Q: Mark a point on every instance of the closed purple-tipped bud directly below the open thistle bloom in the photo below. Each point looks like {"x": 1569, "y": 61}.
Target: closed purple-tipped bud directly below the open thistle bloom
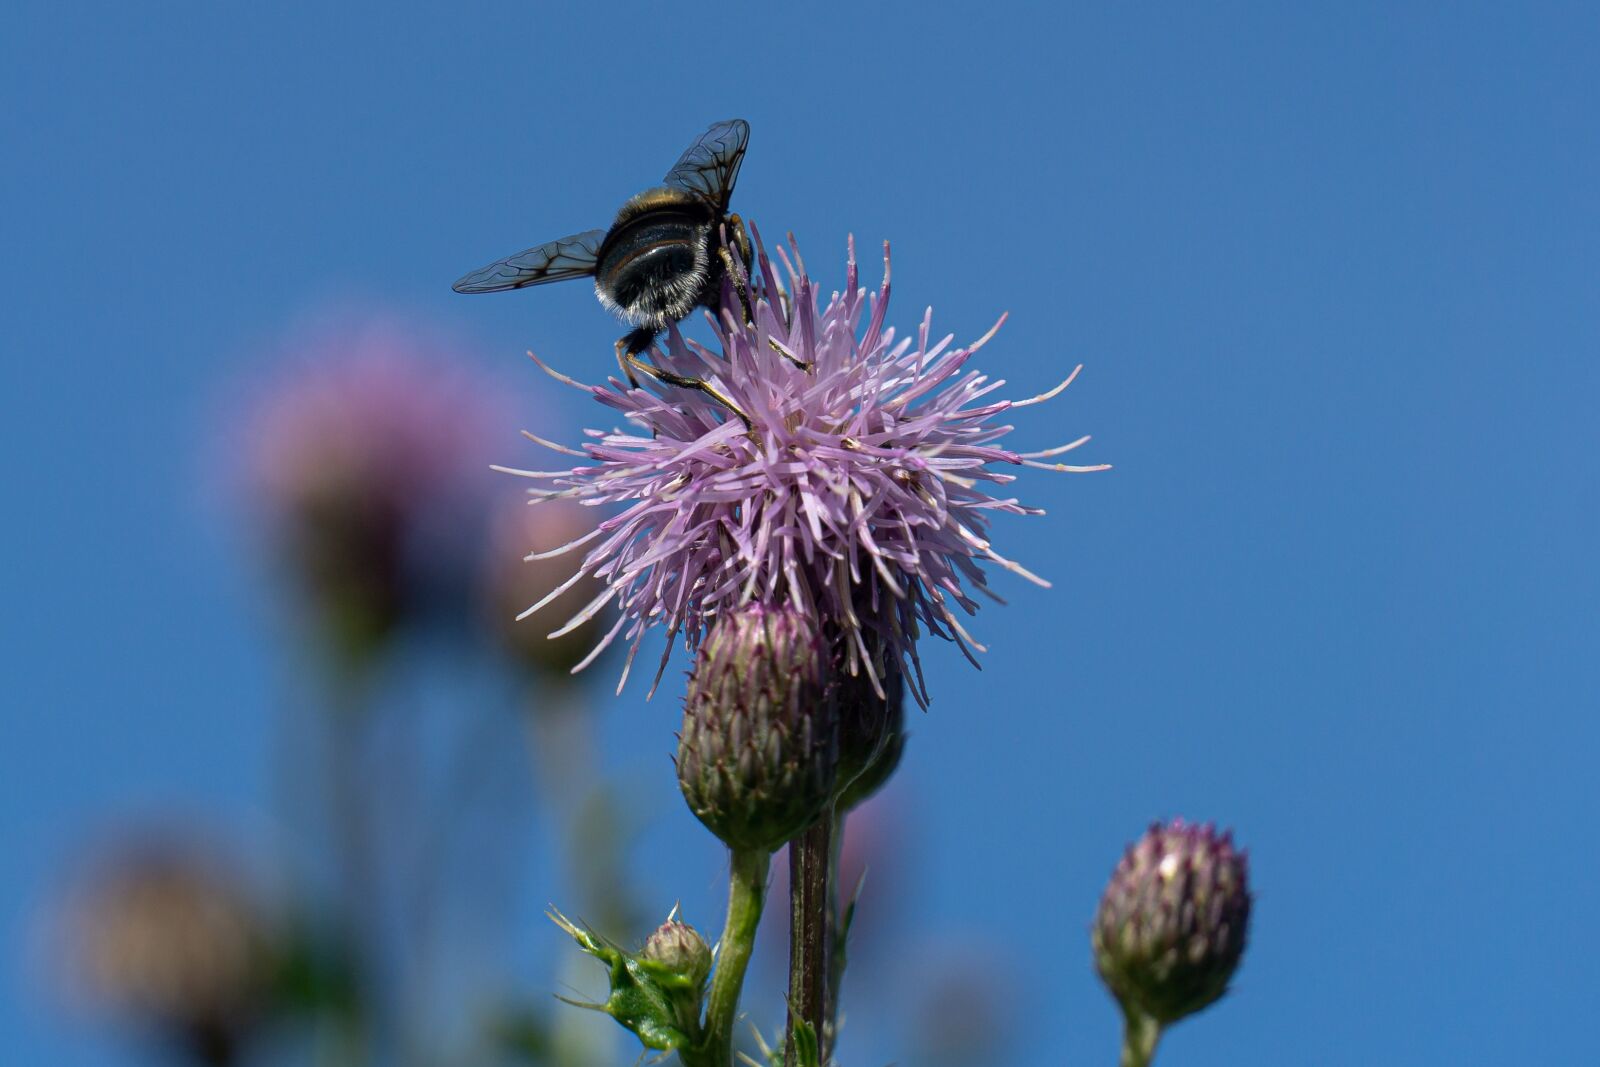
{"x": 759, "y": 753}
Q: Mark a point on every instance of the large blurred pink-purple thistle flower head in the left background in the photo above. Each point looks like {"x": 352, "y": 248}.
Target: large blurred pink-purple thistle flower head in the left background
{"x": 374, "y": 446}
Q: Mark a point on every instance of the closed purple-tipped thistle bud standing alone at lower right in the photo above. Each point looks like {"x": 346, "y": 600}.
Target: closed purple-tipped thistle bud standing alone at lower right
{"x": 1174, "y": 921}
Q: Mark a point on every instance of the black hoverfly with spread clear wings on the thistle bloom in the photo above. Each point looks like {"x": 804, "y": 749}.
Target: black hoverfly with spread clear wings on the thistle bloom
{"x": 660, "y": 260}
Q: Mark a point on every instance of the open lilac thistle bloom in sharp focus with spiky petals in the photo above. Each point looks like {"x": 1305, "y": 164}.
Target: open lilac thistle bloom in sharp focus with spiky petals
{"x": 860, "y": 492}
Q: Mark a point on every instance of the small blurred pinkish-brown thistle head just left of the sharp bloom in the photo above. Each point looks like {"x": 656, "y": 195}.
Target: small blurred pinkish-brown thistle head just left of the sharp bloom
{"x": 516, "y": 575}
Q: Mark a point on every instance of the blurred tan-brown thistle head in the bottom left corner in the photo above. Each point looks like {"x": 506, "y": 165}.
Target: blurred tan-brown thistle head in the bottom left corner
{"x": 162, "y": 935}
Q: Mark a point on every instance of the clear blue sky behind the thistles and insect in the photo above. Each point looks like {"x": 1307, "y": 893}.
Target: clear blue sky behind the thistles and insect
{"x": 1335, "y": 279}
